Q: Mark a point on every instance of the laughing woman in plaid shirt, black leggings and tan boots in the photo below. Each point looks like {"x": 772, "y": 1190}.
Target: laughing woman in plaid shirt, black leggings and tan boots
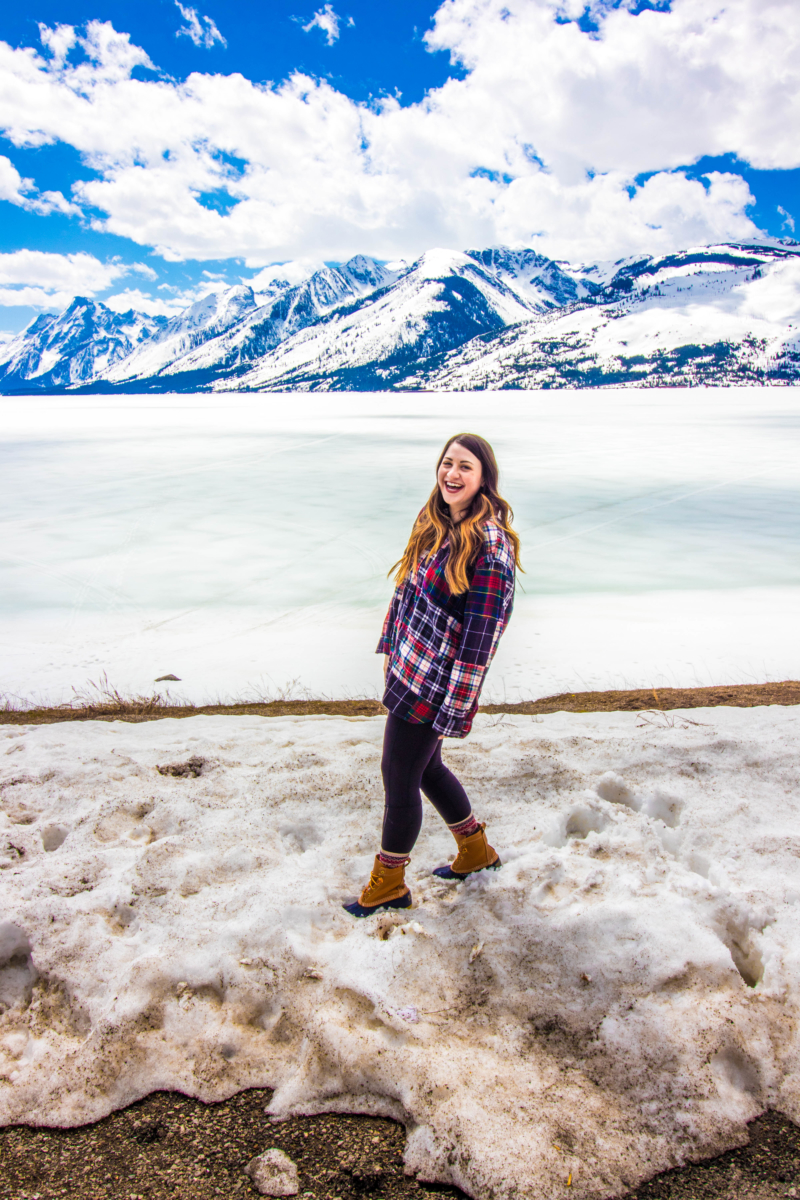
{"x": 453, "y": 602}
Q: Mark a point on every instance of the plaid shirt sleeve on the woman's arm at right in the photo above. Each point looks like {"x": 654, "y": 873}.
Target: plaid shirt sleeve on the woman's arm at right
{"x": 486, "y": 616}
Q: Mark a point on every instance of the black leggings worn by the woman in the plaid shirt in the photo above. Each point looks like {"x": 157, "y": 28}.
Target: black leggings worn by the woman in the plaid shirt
{"x": 413, "y": 760}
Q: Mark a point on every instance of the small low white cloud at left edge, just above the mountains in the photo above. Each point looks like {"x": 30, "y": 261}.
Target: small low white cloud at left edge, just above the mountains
{"x": 45, "y": 280}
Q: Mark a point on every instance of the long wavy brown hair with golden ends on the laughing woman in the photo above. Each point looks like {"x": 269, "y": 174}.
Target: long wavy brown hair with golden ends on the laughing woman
{"x": 435, "y": 524}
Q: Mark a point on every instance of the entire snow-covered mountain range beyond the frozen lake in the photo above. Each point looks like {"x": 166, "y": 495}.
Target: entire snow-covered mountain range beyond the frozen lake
{"x": 452, "y": 321}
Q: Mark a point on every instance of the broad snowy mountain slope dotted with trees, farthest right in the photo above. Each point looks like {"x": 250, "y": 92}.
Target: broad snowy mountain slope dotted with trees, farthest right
{"x": 720, "y": 315}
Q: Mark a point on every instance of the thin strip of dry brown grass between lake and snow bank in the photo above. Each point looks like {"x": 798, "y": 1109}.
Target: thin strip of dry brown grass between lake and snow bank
{"x": 153, "y": 709}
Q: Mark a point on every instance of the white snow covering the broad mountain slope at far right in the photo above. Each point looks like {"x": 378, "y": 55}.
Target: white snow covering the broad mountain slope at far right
{"x": 675, "y": 303}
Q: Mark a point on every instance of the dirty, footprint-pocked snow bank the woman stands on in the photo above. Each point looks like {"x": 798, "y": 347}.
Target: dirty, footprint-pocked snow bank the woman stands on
{"x": 621, "y": 998}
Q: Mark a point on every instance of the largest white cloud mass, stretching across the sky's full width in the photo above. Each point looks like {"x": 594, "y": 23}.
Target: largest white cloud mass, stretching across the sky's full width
{"x": 564, "y": 140}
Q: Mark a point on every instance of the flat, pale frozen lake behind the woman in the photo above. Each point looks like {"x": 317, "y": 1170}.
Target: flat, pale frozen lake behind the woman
{"x": 243, "y": 543}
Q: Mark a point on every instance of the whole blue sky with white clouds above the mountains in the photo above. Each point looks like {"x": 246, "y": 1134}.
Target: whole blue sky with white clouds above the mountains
{"x": 160, "y": 149}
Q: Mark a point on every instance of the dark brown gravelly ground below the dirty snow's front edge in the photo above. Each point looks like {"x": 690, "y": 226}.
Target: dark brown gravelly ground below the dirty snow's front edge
{"x": 170, "y": 1147}
